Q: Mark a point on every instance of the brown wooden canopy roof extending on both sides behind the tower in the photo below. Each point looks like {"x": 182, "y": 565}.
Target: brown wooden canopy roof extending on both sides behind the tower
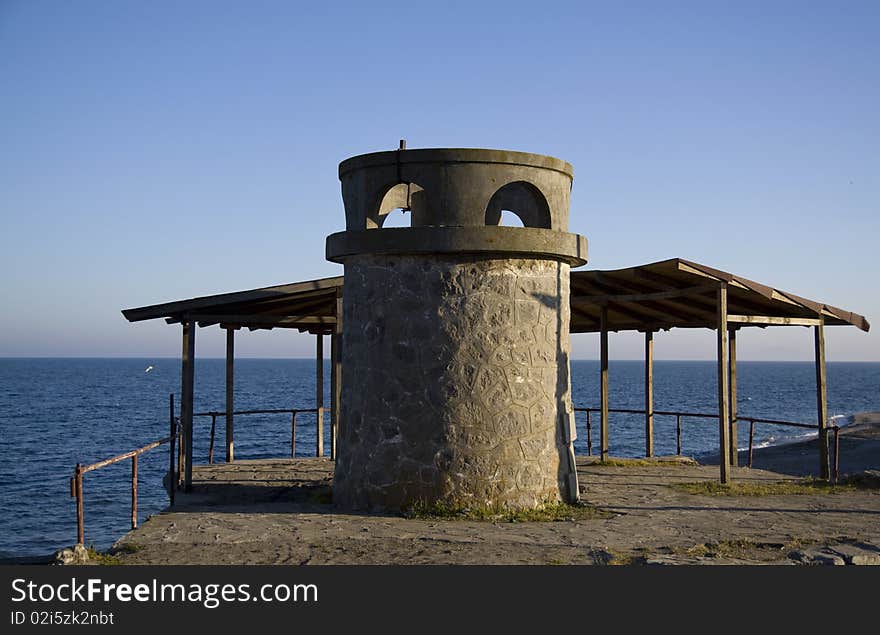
{"x": 669, "y": 294}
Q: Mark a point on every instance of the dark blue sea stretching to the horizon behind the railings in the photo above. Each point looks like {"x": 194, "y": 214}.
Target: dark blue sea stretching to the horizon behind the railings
{"x": 57, "y": 412}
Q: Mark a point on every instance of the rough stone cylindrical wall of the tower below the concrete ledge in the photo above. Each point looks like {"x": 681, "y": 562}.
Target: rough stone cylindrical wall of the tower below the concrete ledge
{"x": 456, "y": 382}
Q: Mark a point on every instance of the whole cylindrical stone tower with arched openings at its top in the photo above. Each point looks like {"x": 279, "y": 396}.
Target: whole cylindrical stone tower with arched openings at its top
{"x": 455, "y": 343}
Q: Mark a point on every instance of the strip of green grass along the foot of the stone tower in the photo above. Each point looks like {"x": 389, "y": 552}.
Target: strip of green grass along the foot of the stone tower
{"x": 549, "y": 512}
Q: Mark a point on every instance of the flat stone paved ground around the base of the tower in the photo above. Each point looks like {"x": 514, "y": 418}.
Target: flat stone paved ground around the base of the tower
{"x": 274, "y": 512}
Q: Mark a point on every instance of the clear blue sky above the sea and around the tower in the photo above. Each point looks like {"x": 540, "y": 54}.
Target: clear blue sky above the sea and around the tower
{"x": 152, "y": 151}
